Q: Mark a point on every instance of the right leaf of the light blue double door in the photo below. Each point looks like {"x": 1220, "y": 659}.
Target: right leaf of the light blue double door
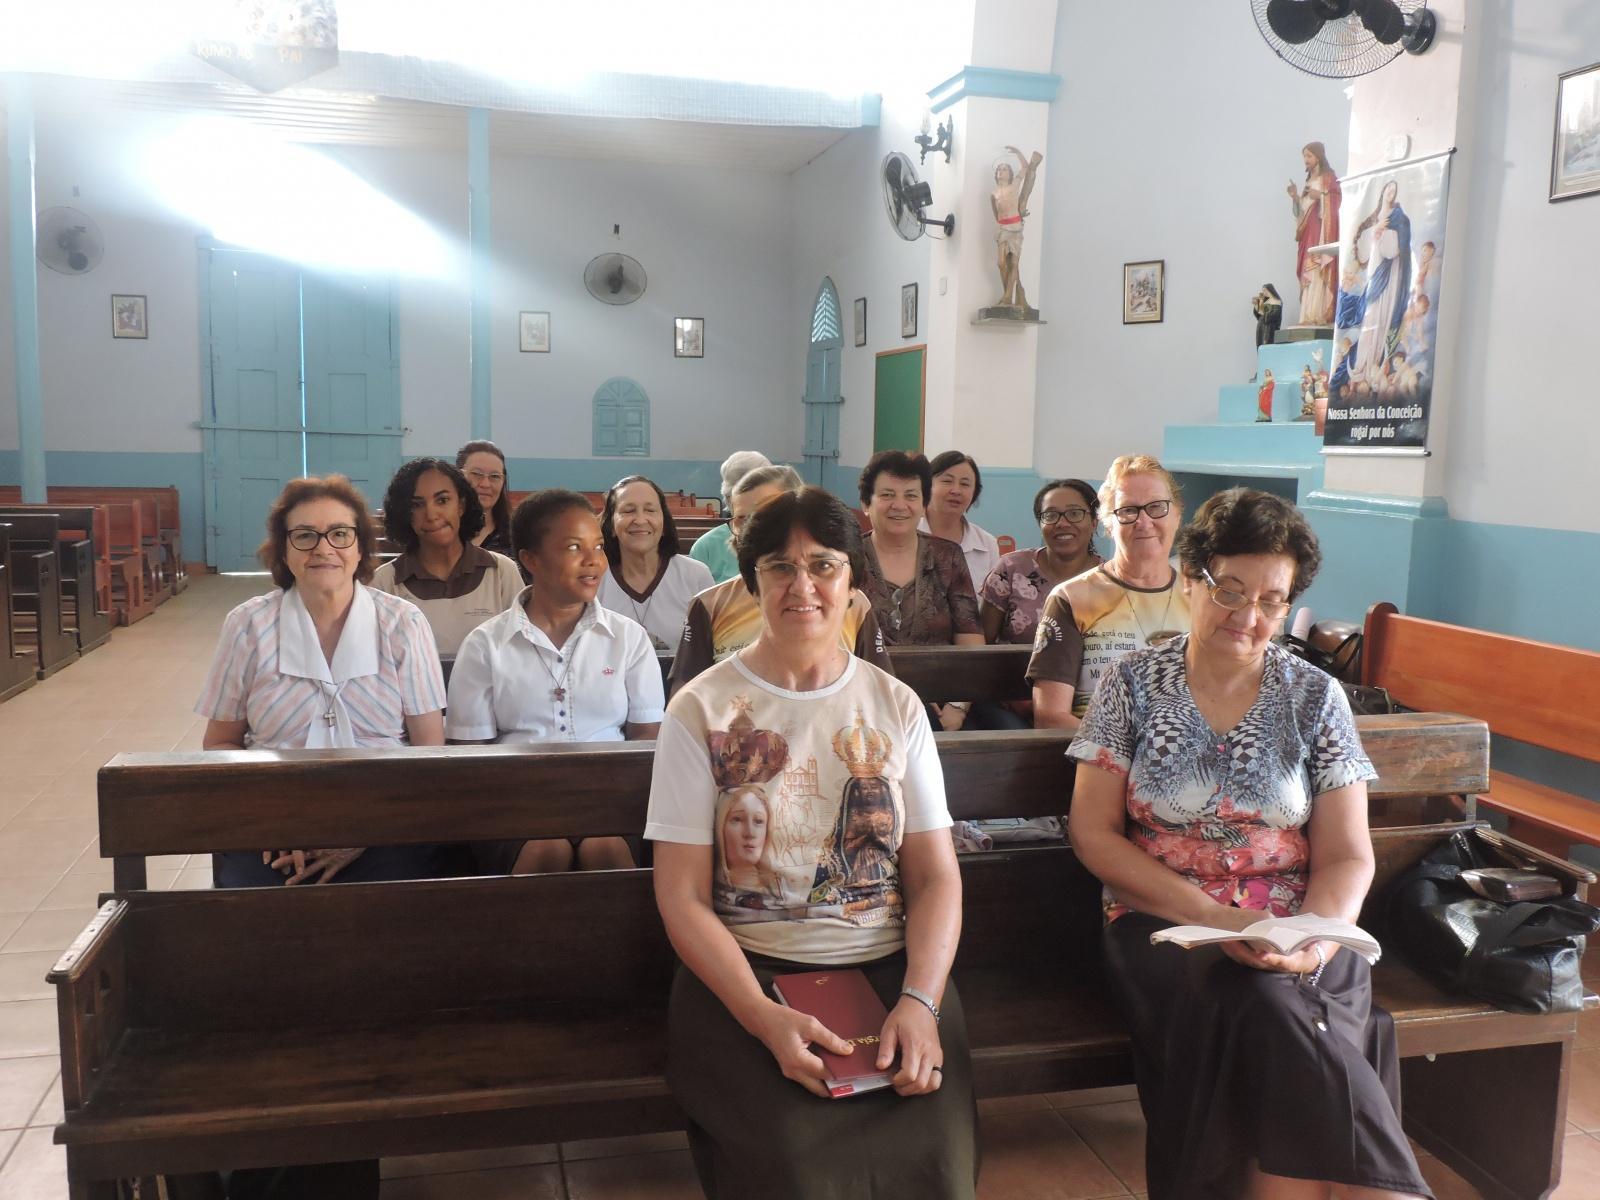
{"x": 353, "y": 396}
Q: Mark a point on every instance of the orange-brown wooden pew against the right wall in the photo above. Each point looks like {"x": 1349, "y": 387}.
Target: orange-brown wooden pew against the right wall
{"x": 1534, "y": 692}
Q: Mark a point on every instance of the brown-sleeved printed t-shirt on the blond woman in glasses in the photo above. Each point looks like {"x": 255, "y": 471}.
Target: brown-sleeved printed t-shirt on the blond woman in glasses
{"x": 1094, "y": 620}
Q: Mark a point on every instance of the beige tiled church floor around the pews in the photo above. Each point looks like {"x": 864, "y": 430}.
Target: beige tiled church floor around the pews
{"x": 137, "y": 694}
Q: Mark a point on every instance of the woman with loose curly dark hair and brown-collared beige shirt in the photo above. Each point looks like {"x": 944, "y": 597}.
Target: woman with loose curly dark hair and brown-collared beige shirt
{"x": 433, "y": 513}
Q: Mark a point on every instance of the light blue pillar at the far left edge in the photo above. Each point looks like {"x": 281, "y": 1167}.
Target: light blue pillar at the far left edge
{"x": 25, "y": 287}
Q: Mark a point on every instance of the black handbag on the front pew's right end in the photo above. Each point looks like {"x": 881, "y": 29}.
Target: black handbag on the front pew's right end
{"x": 1524, "y": 958}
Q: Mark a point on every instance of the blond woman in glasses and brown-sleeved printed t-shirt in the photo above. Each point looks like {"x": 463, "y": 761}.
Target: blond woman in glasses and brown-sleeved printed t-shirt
{"x": 1127, "y": 604}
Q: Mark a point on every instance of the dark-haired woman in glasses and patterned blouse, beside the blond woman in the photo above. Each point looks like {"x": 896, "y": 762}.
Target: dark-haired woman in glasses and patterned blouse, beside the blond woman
{"x": 1014, "y": 594}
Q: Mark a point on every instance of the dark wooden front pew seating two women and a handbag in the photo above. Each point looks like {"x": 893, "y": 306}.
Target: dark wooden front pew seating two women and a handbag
{"x": 438, "y": 1023}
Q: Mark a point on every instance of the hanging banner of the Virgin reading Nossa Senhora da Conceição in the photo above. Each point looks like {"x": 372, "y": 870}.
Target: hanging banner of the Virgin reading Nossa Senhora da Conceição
{"x": 1386, "y": 319}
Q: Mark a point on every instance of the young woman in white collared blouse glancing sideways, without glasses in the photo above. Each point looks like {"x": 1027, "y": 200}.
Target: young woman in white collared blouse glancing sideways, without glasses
{"x": 556, "y": 668}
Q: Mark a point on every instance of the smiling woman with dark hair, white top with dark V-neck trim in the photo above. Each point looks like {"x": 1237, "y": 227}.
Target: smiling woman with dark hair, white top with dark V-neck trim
{"x": 650, "y": 582}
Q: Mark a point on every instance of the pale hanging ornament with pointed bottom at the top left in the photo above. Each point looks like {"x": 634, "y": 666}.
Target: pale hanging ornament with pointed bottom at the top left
{"x": 271, "y": 44}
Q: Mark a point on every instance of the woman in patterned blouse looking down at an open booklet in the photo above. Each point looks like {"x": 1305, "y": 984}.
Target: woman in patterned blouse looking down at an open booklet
{"x": 1222, "y": 782}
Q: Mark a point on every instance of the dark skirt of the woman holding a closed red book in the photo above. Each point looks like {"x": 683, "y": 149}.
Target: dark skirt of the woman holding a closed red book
{"x": 756, "y": 1134}
